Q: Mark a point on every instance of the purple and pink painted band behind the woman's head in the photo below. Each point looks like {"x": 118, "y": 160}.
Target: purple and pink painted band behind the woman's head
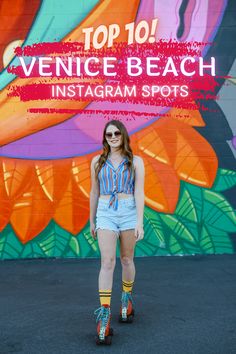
{"x": 80, "y": 135}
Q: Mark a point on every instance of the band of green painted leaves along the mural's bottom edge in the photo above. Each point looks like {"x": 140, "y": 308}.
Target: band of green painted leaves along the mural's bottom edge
{"x": 202, "y": 224}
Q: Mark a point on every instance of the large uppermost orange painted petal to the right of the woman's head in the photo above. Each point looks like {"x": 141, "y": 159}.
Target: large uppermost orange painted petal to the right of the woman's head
{"x": 179, "y": 145}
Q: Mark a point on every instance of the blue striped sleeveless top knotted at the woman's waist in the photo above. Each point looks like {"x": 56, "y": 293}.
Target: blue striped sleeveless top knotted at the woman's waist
{"x": 113, "y": 181}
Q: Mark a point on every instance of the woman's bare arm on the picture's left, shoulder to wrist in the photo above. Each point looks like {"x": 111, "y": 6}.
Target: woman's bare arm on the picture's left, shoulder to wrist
{"x": 94, "y": 192}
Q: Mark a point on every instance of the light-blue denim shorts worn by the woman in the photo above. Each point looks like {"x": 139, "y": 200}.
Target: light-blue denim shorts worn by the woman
{"x": 124, "y": 218}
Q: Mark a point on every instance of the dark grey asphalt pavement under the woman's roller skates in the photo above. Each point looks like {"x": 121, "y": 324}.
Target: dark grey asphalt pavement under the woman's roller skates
{"x": 183, "y": 304}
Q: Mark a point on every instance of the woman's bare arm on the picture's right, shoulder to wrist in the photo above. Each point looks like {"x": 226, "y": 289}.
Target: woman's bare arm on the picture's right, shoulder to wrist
{"x": 139, "y": 188}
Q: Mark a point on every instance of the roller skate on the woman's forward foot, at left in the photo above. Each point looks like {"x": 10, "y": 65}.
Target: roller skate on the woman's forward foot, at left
{"x": 104, "y": 331}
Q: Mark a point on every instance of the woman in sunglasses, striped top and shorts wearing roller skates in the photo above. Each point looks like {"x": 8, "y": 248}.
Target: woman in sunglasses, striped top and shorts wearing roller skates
{"x": 117, "y": 202}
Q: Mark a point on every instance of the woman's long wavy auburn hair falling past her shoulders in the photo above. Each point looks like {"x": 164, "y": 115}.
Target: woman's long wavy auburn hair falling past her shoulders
{"x": 125, "y": 147}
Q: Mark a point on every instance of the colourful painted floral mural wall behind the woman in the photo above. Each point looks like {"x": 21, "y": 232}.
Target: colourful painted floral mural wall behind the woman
{"x": 190, "y": 184}
